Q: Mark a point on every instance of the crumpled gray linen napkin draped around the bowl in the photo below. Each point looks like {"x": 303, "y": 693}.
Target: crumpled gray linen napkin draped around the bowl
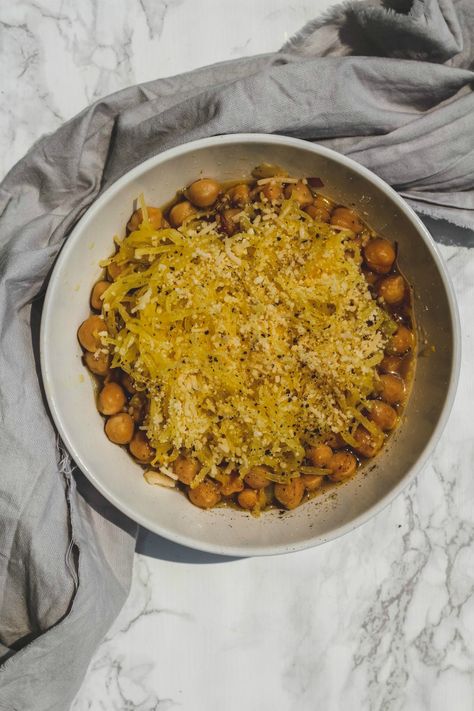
{"x": 389, "y": 87}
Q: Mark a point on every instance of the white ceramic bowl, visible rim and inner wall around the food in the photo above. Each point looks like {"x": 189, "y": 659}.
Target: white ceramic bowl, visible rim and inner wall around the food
{"x": 69, "y": 388}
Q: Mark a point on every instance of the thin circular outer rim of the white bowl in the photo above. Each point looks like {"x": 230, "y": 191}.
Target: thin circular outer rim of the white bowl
{"x": 271, "y": 139}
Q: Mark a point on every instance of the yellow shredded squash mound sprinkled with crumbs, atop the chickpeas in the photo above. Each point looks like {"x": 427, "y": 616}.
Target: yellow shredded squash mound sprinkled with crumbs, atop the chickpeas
{"x": 247, "y": 347}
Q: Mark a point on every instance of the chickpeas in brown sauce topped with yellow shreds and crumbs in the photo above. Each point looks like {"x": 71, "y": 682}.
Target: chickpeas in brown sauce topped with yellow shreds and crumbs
{"x": 253, "y": 342}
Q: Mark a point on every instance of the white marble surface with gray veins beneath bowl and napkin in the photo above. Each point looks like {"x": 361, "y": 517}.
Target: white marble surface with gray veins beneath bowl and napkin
{"x": 382, "y": 619}
